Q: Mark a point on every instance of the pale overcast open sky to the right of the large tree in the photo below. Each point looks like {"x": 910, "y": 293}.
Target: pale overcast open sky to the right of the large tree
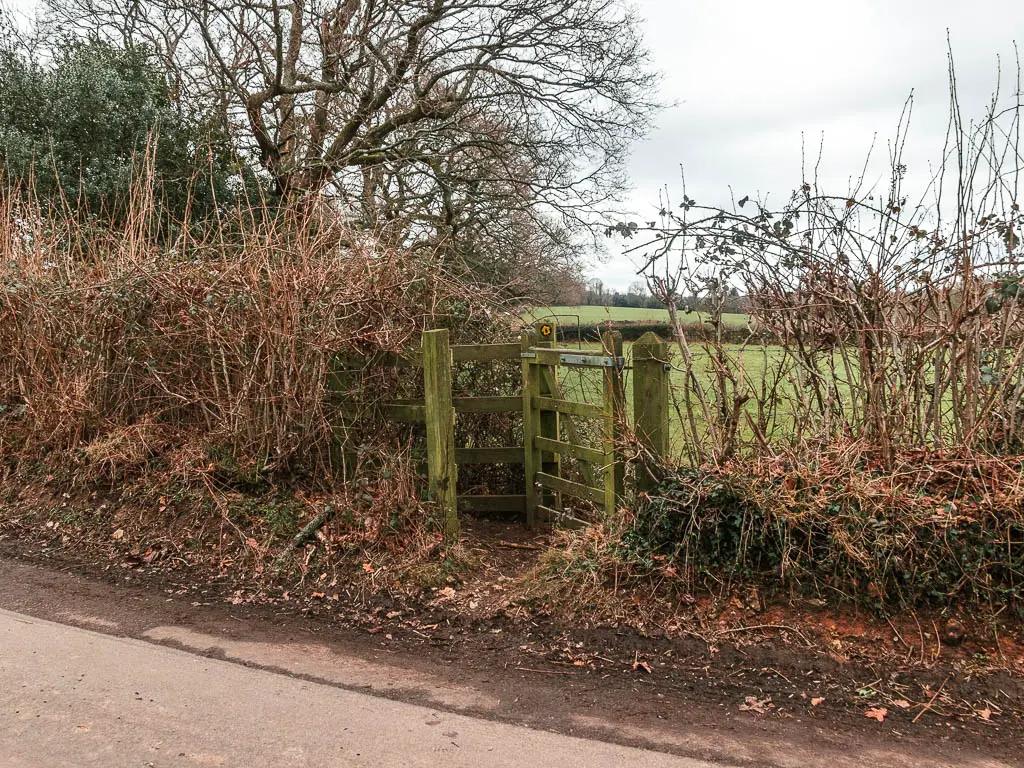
{"x": 750, "y": 79}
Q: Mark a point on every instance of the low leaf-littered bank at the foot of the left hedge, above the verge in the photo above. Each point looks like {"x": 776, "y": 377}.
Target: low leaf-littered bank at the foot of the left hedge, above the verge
{"x": 372, "y": 535}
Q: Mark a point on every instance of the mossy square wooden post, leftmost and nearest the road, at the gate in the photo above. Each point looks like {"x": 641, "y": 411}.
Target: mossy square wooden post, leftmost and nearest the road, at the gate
{"x": 441, "y": 429}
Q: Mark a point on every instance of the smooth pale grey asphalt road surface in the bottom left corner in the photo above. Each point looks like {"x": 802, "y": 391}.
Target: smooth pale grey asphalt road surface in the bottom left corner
{"x": 74, "y": 698}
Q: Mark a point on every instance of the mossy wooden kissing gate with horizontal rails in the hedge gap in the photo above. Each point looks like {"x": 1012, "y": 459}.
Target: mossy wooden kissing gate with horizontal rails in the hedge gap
{"x": 551, "y": 426}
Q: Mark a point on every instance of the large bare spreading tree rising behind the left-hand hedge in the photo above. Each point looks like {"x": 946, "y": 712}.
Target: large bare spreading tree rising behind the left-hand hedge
{"x": 466, "y": 122}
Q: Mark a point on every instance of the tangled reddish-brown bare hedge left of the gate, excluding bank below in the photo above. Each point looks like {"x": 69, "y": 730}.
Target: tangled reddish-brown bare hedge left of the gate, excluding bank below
{"x": 116, "y": 347}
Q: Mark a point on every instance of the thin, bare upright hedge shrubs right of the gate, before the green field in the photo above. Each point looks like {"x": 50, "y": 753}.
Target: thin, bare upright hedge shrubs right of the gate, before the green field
{"x": 898, "y": 317}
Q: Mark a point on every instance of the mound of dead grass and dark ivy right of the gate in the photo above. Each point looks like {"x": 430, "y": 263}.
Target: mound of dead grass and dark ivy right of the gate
{"x": 934, "y": 530}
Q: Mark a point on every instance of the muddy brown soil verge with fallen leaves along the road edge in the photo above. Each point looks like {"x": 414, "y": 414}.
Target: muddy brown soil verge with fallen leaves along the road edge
{"x": 784, "y": 685}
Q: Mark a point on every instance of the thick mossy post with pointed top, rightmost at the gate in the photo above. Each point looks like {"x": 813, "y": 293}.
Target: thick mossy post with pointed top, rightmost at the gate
{"x": 651, "y": 407}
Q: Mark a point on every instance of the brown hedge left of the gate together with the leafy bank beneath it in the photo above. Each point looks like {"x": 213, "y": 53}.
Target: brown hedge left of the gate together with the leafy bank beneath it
{"x": 177, "y": 401}
